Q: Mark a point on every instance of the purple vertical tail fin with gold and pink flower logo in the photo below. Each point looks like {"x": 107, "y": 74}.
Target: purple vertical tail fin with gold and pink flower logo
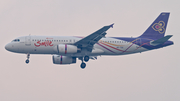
{"x": 158, "y": 28}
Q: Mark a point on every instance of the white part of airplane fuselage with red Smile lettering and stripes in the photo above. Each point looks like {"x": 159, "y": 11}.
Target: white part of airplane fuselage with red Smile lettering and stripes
{"x": 47, "y": 45}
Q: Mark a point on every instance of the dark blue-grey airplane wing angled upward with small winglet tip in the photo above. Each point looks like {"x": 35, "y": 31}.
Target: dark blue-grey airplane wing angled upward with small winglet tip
{"x": 90, "y": 40}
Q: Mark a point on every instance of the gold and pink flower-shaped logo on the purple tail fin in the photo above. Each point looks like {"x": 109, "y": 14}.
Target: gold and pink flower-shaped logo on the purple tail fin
{"x": 159, "y": 27}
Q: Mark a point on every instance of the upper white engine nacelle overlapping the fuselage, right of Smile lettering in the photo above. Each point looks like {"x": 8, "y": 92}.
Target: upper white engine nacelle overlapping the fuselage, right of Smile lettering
{"x": 65, "y": 49}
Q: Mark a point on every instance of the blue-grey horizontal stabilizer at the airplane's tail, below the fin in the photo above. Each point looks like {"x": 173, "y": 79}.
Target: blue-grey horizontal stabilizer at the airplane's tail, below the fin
{"x": 161, "y": 40}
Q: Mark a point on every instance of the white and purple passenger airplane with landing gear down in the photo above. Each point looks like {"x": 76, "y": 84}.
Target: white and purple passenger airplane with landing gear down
{"x": 67, "y": 49}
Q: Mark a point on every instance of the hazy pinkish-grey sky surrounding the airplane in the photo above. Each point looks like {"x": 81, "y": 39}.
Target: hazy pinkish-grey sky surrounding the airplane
{"x": 149, "y": 76}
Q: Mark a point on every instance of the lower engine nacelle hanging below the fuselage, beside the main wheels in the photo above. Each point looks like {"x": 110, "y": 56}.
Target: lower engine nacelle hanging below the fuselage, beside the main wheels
{"x": 59, "y": 59}
